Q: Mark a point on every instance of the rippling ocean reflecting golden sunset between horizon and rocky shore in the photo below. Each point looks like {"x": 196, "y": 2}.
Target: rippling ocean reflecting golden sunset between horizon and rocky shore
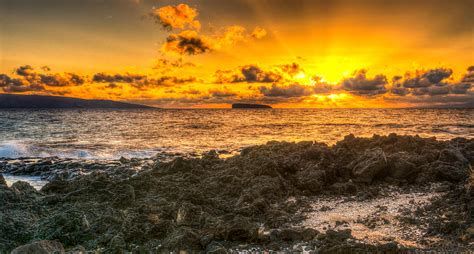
{"x": 110, "y": 134}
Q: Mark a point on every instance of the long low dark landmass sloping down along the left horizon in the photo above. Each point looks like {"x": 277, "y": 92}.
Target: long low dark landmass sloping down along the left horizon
{"x": 40, "y": 101}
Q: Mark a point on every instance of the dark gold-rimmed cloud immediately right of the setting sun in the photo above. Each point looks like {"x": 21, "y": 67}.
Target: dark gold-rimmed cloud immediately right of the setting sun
{"x": 360, "y": 84}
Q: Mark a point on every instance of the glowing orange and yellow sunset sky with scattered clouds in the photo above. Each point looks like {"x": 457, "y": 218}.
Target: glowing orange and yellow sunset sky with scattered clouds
{"x": 211, "y": 53}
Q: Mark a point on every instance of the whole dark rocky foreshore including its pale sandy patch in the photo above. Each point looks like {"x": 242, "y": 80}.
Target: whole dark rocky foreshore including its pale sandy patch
{"x": 273, "y": 197}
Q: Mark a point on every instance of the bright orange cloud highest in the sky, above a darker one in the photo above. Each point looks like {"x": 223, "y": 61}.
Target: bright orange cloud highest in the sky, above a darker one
{"x": 176, "y": 17}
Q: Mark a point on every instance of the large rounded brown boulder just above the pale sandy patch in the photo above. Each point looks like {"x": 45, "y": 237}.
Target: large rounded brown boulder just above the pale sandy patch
{"x": 369, "y": 165}
